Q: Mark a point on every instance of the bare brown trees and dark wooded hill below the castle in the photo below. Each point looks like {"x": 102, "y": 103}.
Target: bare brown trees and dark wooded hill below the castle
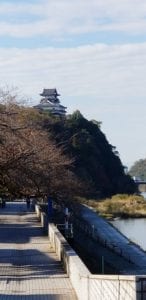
{"x": 41, "y": 154}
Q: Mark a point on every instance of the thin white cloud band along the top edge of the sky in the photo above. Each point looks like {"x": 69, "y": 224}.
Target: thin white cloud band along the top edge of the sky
{"x": 59, "y": 17}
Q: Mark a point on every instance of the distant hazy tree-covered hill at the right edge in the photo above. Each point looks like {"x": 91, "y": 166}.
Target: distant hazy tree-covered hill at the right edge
{"x": 139, "y": 169}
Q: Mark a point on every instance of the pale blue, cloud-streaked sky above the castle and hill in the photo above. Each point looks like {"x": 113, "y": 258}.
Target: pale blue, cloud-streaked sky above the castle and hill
{"x": 92, "y": 51}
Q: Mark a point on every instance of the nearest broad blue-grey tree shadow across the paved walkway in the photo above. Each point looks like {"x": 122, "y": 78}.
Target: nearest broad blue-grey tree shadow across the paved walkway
{"x": 18, "y": 265}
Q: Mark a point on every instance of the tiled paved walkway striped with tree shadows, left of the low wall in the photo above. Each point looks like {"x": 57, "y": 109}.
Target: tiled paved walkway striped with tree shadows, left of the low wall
{"x": 29, "y": 269}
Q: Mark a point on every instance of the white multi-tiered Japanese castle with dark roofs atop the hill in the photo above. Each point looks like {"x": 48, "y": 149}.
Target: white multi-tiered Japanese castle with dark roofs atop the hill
{"x": 51, "y": 103}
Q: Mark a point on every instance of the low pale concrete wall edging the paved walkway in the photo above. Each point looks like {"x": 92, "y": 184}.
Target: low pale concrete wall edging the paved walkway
{"x": 95, "y": 287}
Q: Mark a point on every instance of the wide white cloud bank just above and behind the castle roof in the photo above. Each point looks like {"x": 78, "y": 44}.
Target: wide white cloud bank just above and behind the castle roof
{"x": 98, "y": 70}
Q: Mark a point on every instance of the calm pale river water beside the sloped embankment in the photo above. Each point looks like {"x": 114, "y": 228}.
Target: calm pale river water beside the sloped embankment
{"x": 134, "y": 229}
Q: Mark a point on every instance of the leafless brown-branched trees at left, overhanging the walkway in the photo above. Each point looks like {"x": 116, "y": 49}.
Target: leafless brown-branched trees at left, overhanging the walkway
{"x": 30, "y": 162}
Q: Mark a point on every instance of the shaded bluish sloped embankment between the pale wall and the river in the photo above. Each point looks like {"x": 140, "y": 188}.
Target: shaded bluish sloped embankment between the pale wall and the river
{"x": 102, "y": 239}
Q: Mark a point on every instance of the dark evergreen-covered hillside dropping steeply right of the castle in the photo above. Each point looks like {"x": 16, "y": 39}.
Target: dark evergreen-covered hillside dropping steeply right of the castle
{"x": 95, "y": 160}
